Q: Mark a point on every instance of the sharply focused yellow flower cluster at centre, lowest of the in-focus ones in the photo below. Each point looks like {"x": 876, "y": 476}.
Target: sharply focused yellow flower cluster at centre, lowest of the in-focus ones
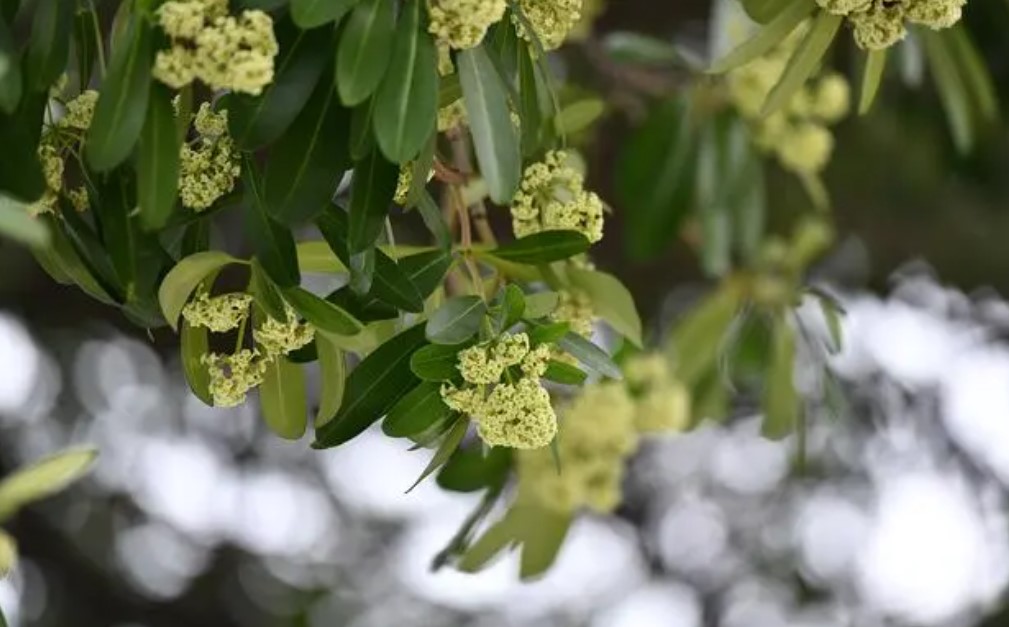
{"x": 516, "y": 412}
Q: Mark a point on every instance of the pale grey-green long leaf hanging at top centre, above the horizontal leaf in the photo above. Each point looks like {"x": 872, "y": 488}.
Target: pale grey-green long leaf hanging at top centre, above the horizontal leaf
{"x": 495, "y": 137}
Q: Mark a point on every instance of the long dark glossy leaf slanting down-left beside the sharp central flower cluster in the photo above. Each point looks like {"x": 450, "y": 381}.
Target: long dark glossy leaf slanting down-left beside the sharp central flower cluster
{"x": 374, "y": 388}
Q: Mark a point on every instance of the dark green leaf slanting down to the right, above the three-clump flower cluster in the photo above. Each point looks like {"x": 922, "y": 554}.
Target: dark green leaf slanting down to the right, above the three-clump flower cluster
{"x": 275, "y": 245}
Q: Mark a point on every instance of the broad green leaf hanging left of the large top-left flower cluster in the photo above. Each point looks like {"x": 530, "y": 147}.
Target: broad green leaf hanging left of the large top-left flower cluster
{"x": 123, "y": 104}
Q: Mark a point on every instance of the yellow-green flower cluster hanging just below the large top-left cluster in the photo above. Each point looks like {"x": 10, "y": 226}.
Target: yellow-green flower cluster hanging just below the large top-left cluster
{"x": 209, "y": 166}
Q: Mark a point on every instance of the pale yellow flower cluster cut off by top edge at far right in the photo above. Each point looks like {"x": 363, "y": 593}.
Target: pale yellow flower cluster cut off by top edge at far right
{"x": 879, "y": 25}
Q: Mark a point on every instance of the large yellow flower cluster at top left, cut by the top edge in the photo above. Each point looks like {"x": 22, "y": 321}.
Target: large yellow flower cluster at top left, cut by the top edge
{"x": 225, "y": 52}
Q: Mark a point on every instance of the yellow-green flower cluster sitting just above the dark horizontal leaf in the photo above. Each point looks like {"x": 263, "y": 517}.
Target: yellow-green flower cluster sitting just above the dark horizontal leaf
{"x": 552, "y": 197}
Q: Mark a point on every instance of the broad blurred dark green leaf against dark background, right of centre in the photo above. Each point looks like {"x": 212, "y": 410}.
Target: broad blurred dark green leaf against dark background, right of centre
{"x": 655, "y": 178}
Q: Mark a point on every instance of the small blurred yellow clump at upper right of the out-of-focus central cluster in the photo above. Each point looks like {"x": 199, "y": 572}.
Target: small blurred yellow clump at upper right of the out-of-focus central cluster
{"x": 662, "y": 403}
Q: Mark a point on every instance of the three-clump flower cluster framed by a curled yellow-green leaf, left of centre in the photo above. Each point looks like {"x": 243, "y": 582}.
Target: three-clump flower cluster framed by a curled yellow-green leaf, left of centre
{"x": 234, "y": 376}
